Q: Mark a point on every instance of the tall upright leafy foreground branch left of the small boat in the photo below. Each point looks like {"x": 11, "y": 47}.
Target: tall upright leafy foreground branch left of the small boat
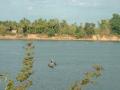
{"x": 24, "y": 76}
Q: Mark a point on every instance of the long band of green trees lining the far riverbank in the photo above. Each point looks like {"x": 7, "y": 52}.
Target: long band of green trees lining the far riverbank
{"x": 54, "y": 27}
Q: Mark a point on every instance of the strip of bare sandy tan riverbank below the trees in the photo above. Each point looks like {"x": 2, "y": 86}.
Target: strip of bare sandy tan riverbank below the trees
{"x": 62, "y": 37}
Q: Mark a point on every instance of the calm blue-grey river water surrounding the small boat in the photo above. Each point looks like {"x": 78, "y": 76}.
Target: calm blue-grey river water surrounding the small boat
{"x": 73, "y": 59}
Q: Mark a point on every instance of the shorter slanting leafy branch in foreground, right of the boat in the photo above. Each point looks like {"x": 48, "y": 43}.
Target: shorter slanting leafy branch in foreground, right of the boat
{"x": 89, "y": 78}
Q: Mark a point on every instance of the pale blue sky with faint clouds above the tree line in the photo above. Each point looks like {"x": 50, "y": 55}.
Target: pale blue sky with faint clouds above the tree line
{"x": 71, "y": 10}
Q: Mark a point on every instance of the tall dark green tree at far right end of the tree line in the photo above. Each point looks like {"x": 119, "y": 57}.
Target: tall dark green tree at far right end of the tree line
{"x": 115, "y": 24}
